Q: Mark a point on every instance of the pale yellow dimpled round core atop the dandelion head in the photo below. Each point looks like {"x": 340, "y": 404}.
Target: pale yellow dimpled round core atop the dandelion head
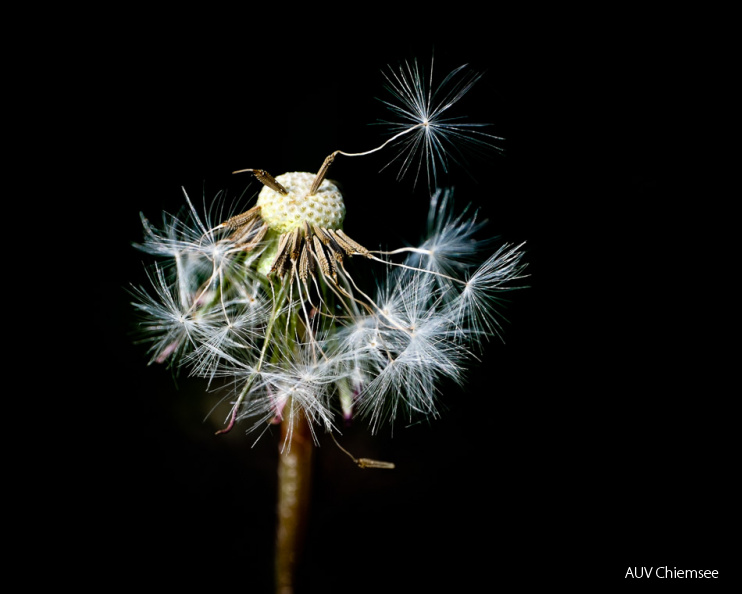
{"x": 285, "y": 212}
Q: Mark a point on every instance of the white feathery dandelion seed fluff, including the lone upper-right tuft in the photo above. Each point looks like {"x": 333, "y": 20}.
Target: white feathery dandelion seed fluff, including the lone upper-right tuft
{"x": 320, "y": 345}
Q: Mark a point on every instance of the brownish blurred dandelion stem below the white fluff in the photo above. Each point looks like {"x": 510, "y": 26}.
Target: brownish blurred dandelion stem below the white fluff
{"x": 294, "y": 482}
